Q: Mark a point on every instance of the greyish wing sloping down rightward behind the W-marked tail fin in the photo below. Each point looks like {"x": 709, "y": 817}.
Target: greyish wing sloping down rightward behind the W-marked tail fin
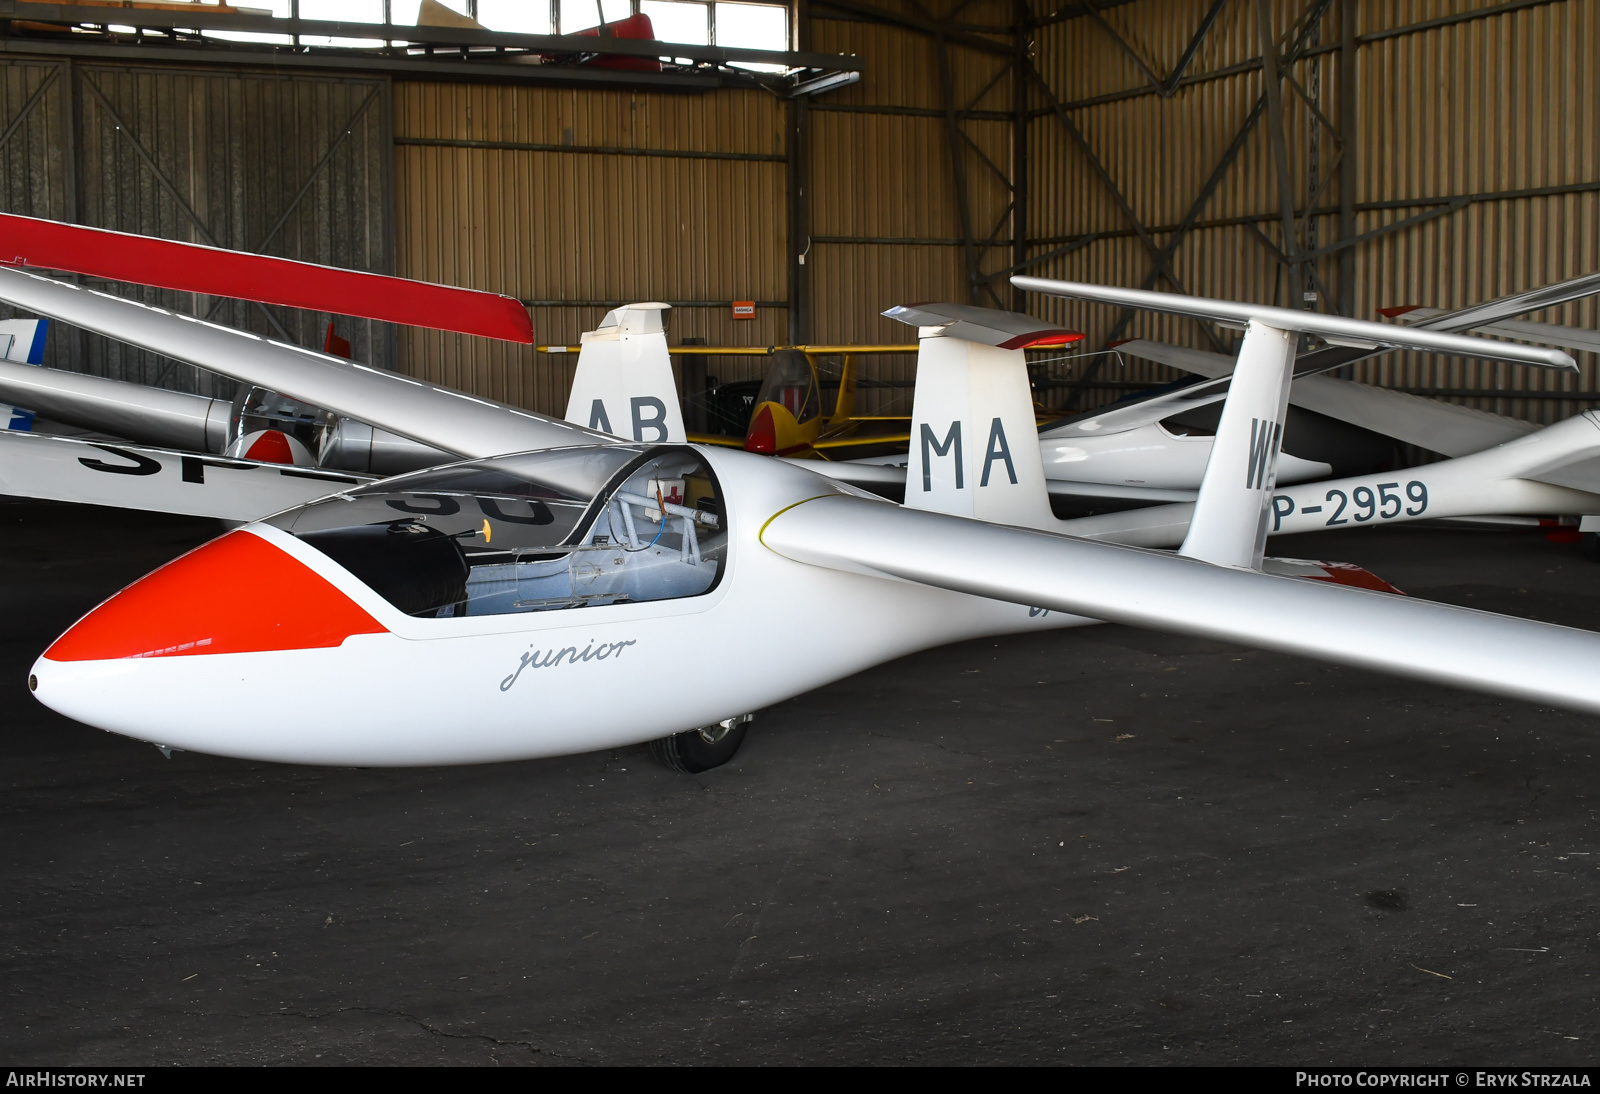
{"x": 1415, "y": 420}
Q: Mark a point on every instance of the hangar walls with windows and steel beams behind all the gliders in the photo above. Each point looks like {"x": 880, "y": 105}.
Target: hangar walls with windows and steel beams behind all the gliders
{"x": 1383, "y": 153}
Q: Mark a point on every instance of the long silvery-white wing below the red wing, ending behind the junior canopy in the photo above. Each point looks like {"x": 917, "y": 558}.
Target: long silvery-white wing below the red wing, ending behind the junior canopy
{"x": 439, "y": 417}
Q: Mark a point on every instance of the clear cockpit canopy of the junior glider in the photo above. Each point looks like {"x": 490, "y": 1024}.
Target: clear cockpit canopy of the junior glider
{"x": 538, "y": 532}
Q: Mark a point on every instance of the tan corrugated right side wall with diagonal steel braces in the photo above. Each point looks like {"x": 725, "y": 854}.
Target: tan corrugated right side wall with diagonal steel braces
{"x": 1503, "y": 111}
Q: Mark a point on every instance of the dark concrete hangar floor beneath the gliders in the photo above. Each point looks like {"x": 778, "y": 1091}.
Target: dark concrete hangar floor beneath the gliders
{"x": 1092, "y": 847}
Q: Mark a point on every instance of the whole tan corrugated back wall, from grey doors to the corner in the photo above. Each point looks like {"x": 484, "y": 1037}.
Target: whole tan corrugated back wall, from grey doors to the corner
{"x": 578, "y": 201}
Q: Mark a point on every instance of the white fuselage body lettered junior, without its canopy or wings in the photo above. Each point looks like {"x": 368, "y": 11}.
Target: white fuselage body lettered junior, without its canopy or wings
{"x": 511, "y": 687}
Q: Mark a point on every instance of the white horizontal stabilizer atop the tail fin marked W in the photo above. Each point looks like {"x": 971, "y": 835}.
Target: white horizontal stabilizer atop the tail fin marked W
{"x": 1286, "y": 319}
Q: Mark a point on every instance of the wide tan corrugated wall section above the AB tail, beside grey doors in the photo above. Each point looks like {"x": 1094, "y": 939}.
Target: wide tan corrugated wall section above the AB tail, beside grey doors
{"x": 580, "y": 201}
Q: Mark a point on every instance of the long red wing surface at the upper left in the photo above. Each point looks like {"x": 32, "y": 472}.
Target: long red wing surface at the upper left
{"x": 191, "y": 268}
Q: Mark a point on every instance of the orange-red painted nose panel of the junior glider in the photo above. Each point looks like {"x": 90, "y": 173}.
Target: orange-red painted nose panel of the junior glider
{"x": 238, "y": 594}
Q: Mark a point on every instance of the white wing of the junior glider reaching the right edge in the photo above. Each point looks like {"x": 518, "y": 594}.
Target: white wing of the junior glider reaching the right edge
{"x": 1457, "y": 647}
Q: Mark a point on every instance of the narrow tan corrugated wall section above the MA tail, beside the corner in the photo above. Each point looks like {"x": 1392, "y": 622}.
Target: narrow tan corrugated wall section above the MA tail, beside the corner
{"x": 886, "y": 223}
